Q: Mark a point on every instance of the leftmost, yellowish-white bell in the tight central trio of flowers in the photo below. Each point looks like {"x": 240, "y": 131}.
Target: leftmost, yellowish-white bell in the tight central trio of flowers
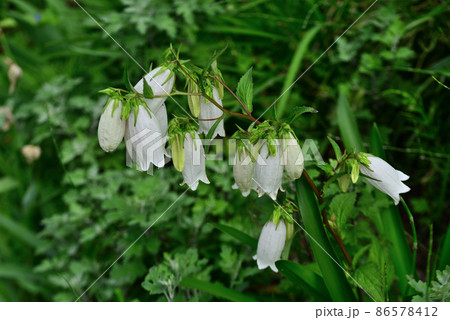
{"x": 243, "y": 172}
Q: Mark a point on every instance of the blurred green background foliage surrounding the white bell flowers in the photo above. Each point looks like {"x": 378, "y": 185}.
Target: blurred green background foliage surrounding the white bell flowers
{"x": 66, "y": 216}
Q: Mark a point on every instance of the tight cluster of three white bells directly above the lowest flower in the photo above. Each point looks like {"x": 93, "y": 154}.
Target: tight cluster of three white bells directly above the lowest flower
{"x": 265, "y": 174}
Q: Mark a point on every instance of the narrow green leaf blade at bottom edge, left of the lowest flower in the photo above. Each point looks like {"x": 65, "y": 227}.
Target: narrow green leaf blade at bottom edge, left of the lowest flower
{"x": 216, "y": 289}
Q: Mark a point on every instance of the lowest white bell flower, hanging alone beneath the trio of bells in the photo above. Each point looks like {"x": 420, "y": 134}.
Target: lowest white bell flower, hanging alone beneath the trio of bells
{"x": 270, "y": 245}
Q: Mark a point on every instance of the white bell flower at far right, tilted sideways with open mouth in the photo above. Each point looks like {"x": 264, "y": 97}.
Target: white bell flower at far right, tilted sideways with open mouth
{"x": 385, "y": 178}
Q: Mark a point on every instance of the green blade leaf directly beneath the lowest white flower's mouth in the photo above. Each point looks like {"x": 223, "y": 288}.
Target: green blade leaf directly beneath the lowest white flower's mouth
{"x": 305, "y": 277}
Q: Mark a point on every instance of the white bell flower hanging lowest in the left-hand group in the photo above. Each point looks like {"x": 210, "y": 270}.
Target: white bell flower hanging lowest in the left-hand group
{"x": 194, "y": 162}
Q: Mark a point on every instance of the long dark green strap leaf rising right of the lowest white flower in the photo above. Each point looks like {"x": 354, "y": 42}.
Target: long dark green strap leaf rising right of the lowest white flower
{"x": 333, "y": 275}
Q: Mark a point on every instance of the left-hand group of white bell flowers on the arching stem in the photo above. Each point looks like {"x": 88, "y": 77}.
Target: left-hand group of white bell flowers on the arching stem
{"x": 146, "y": 129}
